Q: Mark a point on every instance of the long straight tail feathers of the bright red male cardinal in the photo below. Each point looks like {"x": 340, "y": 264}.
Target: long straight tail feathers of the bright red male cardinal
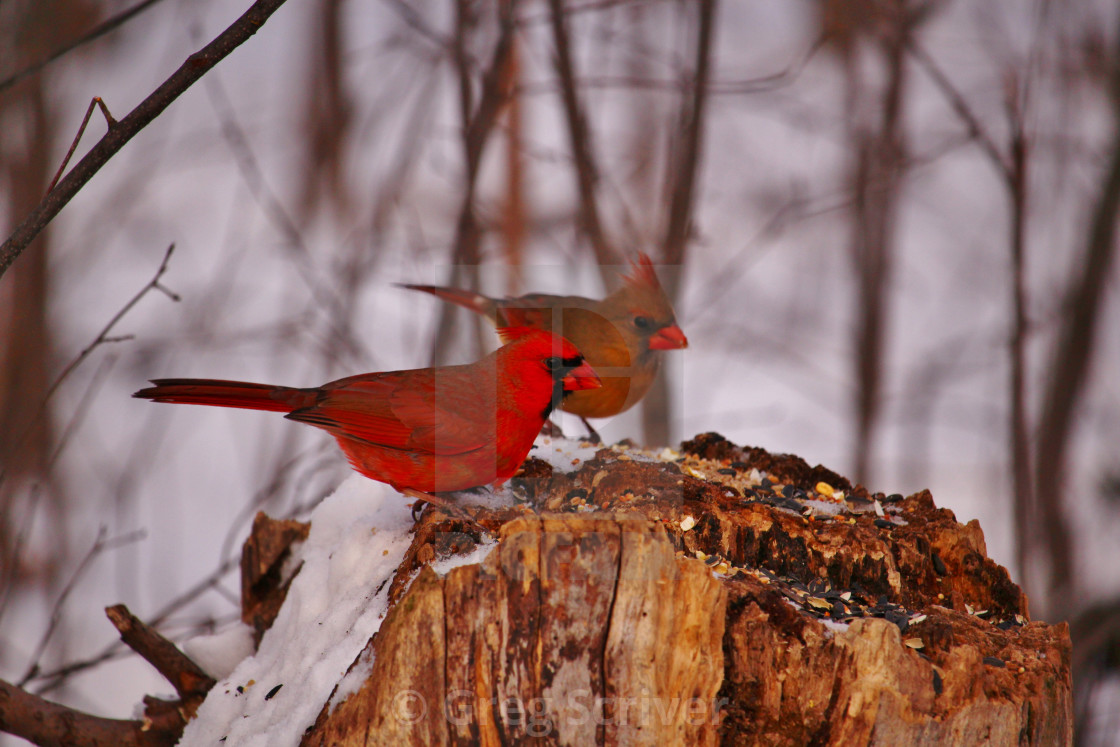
{"x": 229, "y": 395}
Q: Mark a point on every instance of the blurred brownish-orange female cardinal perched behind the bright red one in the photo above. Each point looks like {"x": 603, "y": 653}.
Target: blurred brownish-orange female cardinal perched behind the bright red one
{"x": 621, "y": 337}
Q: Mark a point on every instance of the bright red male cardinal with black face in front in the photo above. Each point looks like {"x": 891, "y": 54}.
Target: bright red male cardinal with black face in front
{"x": 425, "y": 431}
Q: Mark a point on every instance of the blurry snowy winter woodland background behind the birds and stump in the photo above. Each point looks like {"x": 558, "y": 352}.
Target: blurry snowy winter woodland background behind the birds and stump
{"x": 888, "y": 226}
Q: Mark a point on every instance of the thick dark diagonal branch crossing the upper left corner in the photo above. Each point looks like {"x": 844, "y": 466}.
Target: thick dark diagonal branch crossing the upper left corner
{"x": 197, "y": 66}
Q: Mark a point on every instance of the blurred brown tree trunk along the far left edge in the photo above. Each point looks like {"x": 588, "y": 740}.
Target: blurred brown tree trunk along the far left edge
{"x": 29, "y": 33}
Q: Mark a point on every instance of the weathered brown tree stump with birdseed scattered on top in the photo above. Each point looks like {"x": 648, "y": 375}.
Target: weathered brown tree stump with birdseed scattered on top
{"x": 729, "y": 596}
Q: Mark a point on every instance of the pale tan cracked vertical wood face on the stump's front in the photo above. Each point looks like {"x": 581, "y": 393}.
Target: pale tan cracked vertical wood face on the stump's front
{"x": 567, "y": 633}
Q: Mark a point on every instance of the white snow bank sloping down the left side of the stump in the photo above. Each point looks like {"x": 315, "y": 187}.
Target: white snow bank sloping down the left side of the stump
{"x": 337, "y": 603}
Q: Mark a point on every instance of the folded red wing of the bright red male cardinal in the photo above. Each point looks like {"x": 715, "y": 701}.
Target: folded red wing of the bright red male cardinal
{"x": 403, "y": 410}
